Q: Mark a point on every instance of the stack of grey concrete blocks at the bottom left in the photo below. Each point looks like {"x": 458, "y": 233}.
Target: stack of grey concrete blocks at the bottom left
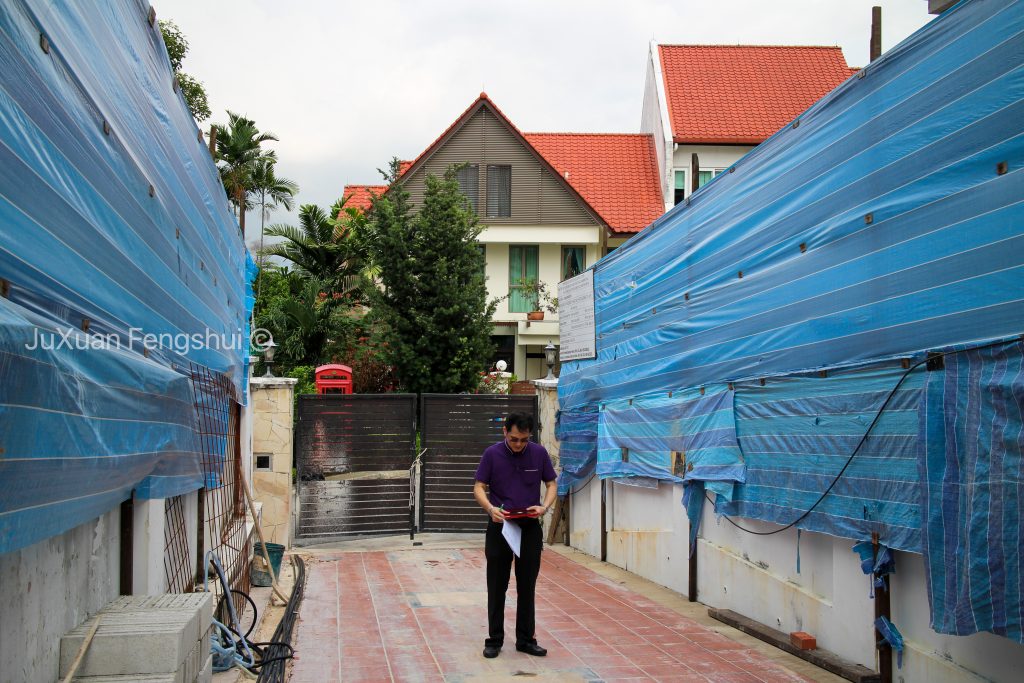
{"x": 146, "y": 638}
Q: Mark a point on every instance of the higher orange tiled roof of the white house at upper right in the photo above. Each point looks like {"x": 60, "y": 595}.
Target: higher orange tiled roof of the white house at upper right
{"x": 742, "y": 95}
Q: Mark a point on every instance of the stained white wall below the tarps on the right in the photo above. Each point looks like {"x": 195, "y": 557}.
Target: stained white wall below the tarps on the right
{"x": 757, "y": 577}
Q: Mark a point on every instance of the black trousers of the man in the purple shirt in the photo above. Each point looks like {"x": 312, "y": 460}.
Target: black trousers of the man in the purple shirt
{"x": 528, "y": 567}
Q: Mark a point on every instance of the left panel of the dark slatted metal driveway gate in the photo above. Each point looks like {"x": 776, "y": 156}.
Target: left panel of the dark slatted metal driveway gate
{"x": 353, "y": 458}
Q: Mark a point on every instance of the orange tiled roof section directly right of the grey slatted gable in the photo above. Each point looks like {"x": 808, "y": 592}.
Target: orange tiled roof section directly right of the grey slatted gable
{"x": 616, "y": 174}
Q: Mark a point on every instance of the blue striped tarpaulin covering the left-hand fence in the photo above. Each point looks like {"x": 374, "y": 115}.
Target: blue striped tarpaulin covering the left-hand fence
{"x": 122, "y": 266}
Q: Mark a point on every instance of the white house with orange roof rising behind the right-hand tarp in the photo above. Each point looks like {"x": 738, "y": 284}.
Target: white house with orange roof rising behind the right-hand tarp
{"x": 707, "y": 106}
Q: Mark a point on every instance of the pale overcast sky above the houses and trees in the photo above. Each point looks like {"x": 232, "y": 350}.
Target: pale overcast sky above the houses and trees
{"x": 347, "y": 87}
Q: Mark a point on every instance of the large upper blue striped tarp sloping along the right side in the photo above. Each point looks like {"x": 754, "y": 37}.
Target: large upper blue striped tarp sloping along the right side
{"x": 884, "y": 222}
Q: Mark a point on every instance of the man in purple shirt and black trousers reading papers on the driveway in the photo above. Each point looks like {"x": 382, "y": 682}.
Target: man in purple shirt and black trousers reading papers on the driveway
{"x": 508, "y": 481}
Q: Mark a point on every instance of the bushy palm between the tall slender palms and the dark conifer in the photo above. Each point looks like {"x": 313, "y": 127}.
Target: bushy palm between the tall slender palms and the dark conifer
{"x": 326, "y": 247}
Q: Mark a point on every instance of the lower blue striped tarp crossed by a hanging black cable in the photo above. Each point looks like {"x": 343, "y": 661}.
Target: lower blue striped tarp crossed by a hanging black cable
{"x": 797, "y": 433}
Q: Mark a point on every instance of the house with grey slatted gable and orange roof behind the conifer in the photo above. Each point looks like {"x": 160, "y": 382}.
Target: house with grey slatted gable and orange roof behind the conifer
{"x": 550, "y": 203}
